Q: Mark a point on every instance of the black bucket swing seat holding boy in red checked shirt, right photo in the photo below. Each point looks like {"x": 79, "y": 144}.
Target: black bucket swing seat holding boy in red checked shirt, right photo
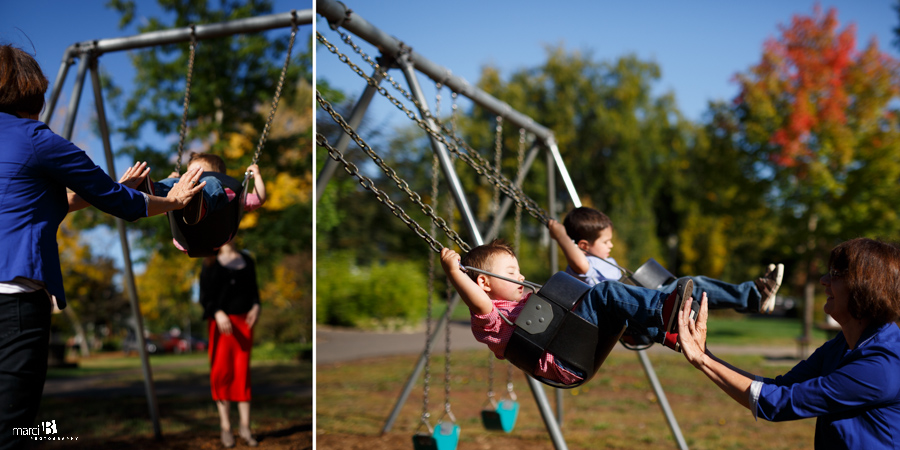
{"x": 547, "y": 323}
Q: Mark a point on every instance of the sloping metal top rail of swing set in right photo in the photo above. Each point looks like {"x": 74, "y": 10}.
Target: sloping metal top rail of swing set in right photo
{"x": 341, "y": 16}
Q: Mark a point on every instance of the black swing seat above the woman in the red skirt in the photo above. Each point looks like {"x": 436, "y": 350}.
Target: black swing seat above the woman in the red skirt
{"x": 215, "y": 229}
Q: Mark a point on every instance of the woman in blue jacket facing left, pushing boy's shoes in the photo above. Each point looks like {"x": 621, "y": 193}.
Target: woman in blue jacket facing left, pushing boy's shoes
{"x": 851, "y": 383}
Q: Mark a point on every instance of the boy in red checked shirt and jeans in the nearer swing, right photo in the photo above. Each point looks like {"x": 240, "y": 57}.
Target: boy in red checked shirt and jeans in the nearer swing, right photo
{"x": 494, "y": 304}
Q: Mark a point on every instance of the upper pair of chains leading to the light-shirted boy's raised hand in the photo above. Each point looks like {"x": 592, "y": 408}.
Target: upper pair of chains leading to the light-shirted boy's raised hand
{"x": 470, "y": 157}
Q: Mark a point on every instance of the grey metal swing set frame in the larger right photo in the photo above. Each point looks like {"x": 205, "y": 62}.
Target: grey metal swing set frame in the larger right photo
{"x": 409, "y": 62}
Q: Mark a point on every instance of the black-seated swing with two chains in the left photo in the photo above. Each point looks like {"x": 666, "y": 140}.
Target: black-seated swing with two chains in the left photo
{"x": 218, "y": 227}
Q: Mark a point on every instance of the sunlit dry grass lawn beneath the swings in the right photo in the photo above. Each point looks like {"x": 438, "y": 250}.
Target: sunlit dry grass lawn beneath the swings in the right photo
{"x": 615, "y": 410}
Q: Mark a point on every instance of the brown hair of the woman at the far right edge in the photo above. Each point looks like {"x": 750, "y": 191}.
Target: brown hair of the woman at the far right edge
{"x": 871, "y": 270}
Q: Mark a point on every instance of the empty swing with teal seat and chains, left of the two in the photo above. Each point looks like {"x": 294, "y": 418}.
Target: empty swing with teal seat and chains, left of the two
{"x": 445, "y": 436}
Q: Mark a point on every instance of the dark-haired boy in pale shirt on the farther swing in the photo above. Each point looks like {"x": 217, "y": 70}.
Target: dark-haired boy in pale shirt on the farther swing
{"x": 585, "y": 237}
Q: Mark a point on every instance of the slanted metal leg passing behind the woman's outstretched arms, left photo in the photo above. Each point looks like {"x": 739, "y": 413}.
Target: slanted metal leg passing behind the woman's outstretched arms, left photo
{"x": 126, "y": 253}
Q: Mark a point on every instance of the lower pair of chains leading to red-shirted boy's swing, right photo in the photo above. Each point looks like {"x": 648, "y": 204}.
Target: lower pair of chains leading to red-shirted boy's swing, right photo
{"x": 367, "y": 183}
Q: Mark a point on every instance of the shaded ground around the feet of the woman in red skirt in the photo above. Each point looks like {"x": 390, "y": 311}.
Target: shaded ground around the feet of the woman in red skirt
{"x": 103, "y": 402}
